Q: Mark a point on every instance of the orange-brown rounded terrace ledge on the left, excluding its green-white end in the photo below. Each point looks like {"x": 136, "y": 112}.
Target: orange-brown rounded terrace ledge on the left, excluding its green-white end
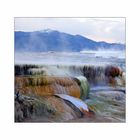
{"x": 47, "y": 85}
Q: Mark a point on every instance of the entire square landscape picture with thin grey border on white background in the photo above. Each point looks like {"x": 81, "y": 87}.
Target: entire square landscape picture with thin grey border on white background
{"x": 69, "y": 69}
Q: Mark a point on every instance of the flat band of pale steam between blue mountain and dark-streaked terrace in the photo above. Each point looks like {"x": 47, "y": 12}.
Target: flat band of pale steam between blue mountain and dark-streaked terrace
{"x": 87, "y": 57}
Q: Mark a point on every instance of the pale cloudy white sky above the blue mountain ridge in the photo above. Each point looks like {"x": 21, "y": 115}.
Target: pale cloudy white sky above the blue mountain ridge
{"x": 99, "y": 29}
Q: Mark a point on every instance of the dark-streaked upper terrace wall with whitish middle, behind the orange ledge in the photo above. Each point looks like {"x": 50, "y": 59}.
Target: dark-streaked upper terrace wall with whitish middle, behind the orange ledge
{"x": 96, "y": 75}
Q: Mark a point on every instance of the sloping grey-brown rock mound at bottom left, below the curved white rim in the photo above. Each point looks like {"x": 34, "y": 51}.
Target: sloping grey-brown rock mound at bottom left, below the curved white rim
{"x": 50, "y": 108}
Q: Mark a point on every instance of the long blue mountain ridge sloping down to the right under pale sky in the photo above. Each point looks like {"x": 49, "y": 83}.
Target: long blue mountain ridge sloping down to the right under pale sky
{"x": 51, "y": 40}
